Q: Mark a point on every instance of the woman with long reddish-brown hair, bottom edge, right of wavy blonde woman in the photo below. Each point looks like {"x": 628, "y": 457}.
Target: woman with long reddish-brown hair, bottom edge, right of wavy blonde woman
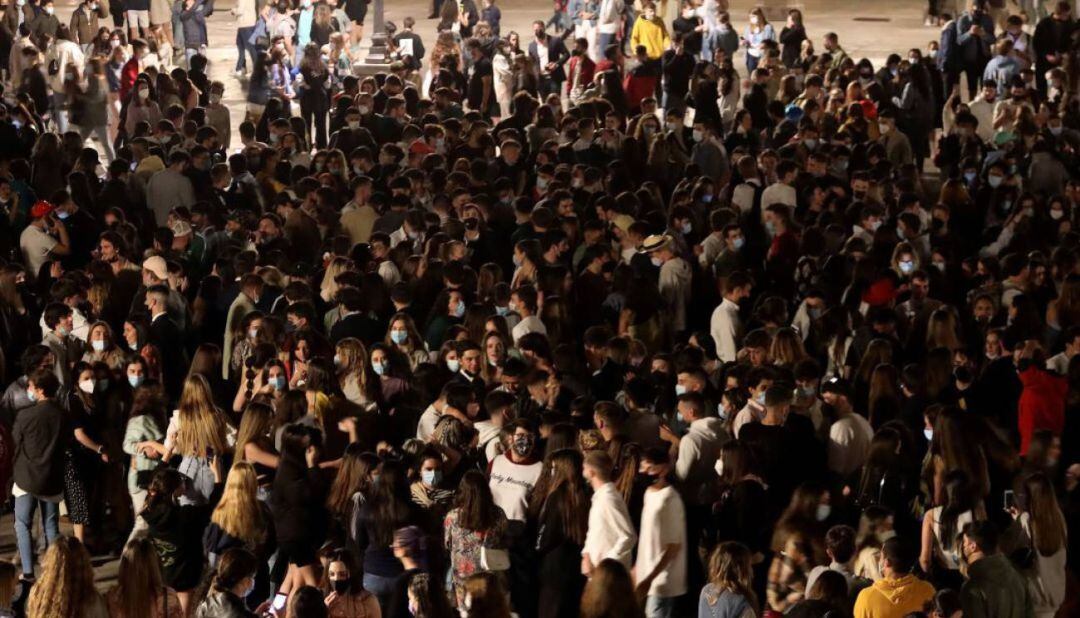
{"x": 141, "y": 589}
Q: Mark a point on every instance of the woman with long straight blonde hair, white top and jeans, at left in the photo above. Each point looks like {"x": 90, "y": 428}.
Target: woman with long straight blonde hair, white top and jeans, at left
{"x": 198, "y": 432}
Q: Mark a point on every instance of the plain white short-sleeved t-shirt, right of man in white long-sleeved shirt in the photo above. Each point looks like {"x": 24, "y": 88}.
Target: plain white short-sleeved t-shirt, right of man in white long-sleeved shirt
{"x": 664, "y": 523}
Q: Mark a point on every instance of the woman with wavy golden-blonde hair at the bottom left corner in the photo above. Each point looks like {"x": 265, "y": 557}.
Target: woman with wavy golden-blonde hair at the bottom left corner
{"x": 66, "y": 586}
